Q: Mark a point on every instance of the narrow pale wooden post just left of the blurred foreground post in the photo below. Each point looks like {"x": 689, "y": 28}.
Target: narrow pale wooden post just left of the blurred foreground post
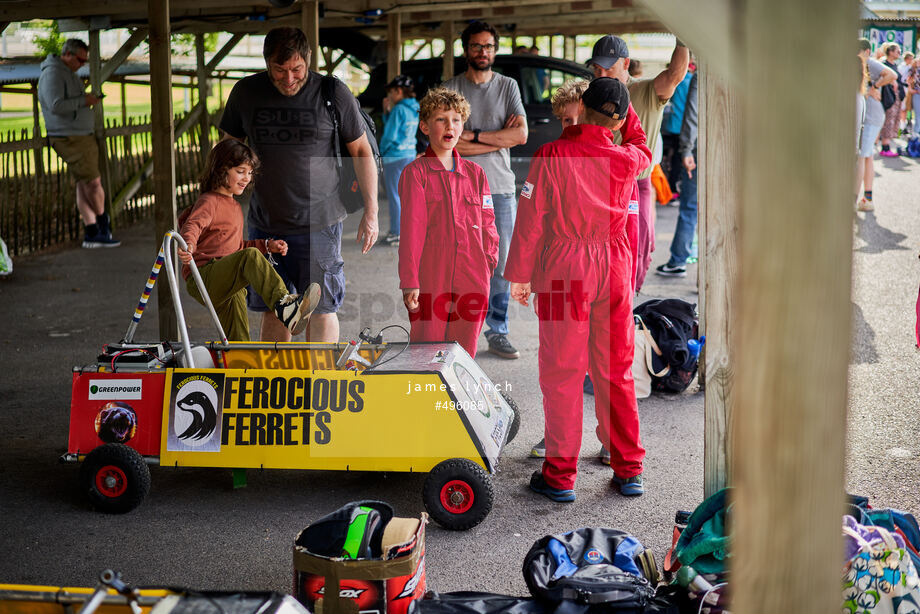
{"x": 719, "y": 190}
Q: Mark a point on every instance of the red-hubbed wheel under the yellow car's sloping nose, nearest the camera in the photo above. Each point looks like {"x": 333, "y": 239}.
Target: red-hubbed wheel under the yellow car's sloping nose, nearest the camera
{"x": 458, "y": 494}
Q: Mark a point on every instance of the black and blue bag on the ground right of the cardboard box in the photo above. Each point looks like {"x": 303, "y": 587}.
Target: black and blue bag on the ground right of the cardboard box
{"x": 594, "y": 570}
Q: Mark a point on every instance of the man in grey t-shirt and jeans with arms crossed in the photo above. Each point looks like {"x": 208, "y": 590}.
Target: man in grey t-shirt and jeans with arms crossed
{"x": 497, "y": 122}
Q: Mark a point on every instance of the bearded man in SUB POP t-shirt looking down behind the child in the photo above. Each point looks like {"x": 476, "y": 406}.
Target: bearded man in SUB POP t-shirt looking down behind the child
{"x": 281, "y": 114}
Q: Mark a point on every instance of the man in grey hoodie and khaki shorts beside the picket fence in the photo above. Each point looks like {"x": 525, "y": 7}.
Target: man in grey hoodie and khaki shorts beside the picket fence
{"x": 70, "y": 124}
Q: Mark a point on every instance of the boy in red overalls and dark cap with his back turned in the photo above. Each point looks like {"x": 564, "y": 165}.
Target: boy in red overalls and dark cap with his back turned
{"x": 570, "y": 247}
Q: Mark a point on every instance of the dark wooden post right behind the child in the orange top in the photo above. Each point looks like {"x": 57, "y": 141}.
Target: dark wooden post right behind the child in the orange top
{"x": 164, "y": 162}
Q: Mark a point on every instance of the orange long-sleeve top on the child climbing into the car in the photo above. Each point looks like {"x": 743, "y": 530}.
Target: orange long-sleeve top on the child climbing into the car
{"x": 213, "y": 228}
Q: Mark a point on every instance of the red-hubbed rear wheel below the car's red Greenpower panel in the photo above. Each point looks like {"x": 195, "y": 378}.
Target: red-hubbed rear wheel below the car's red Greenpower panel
{"x": 115, "y": 478}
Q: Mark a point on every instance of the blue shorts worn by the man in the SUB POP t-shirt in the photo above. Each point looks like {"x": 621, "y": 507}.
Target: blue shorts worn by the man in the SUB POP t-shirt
{"x": 313, "y": 257}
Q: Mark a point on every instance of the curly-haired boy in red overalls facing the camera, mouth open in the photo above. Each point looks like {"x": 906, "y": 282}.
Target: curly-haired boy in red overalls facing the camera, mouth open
{"x": 448, "y": 242}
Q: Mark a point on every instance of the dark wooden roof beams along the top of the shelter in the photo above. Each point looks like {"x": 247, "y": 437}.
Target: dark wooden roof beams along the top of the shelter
{"x": 419, "y": 18}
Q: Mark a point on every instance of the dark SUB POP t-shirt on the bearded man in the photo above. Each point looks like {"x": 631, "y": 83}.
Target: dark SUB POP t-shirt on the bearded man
{"x": 296, "y": 189}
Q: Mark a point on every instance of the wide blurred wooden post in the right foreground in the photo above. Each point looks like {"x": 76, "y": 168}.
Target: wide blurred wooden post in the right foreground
{"x": 793, "y": 327}
